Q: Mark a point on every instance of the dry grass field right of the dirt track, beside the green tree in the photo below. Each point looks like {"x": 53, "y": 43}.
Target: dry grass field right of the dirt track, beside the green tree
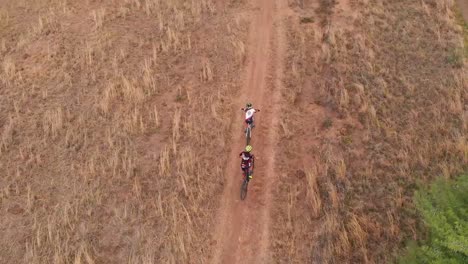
{"x": 376, "y": 102}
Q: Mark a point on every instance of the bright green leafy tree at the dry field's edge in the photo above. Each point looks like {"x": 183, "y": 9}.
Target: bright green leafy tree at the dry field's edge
{"x": 444, "y": 208}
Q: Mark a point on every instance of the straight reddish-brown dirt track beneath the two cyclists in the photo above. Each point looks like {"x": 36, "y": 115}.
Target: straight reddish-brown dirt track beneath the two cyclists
{"x": 242, "y": 231}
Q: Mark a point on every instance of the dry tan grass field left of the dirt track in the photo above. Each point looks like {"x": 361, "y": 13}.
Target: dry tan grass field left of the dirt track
{"x": 110, "y": 115}
